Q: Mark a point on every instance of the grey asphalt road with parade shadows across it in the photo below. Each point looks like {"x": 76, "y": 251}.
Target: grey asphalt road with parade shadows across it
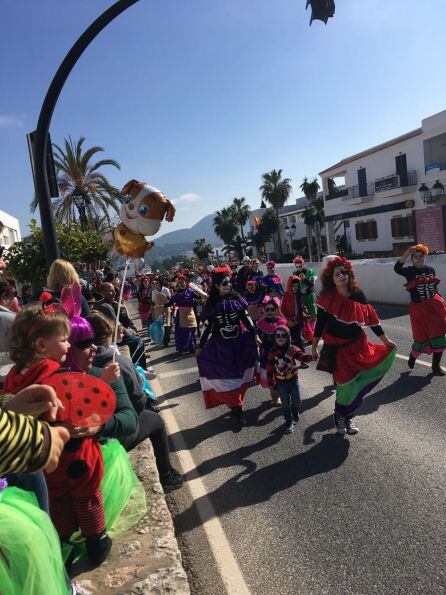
{"x": 311, "y": 512}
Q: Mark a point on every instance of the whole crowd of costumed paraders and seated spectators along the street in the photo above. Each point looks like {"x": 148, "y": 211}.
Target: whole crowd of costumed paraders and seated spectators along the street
{"x": 63, "y": 461}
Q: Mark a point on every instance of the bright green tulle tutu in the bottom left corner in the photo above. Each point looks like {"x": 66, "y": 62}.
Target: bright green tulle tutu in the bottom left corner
{"x": 30, "y": 556}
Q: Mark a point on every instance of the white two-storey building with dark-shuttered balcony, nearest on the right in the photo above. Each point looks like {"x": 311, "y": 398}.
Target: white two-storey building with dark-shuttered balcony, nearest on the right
{"x": 378, "y": 190}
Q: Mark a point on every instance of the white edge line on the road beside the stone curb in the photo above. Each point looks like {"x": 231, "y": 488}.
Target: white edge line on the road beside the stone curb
{"x": 226, "y": 563}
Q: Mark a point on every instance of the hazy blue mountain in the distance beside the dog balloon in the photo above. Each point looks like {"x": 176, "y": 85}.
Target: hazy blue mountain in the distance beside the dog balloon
{"x": 175, "y": 243}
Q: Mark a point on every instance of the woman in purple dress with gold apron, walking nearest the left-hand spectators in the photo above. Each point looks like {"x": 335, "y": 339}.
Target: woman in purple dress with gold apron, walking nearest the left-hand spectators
{"x": 185, "y": 319}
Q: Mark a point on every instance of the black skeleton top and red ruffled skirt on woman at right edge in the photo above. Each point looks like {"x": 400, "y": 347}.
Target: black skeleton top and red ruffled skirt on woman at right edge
{"x": 427, "y": 309}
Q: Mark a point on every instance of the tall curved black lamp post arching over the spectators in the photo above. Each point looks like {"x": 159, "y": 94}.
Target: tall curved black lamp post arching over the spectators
{"x": 46, "y": 113}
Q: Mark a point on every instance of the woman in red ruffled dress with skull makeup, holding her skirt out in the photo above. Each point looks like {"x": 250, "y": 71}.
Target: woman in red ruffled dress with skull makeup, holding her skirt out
{"x": 343, "y": 313}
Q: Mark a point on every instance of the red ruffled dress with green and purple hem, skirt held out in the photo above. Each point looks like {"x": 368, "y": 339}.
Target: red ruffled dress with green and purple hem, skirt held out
{"x": 361, "y": 365}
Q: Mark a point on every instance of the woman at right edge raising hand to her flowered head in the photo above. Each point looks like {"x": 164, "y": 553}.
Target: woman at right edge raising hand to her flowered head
{"x": 427, "y": 308}
